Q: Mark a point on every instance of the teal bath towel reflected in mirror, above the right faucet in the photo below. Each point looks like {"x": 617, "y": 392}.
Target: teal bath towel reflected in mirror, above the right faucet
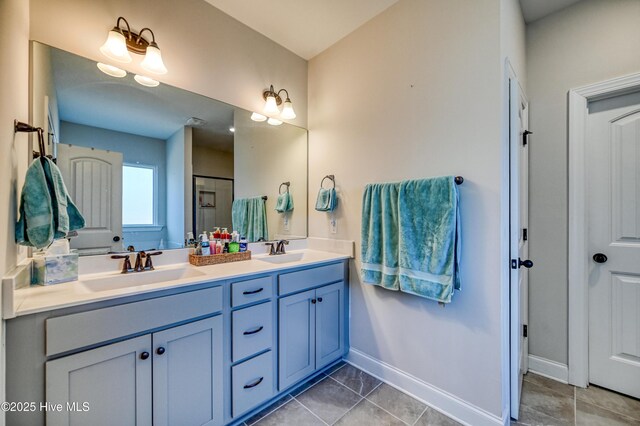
{"x": 249, "y": 218}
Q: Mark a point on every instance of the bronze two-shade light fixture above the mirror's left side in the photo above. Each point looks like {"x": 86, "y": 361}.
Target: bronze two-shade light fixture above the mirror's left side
{"x": 121, "y": 41}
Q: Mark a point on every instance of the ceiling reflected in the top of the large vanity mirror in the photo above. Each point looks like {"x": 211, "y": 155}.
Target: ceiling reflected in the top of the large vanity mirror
{"x": 87, "y": 96}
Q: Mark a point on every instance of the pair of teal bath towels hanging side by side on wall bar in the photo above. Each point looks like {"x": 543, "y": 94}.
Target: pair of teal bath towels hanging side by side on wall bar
{"x": 411, "y": 237}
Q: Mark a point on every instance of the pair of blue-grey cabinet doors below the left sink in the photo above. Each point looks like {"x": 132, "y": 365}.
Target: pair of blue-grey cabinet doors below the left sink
{"x": 179, "y": 369}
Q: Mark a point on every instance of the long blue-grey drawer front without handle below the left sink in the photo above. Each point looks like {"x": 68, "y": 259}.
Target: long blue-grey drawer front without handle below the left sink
{"x": 76, "y": 331}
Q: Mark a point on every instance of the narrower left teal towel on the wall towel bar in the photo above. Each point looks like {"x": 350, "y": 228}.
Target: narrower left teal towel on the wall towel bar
{"x": 380, "y": 235}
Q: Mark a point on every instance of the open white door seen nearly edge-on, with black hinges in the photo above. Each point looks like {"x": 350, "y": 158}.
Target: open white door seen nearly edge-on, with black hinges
{"x": 519, "y": 245}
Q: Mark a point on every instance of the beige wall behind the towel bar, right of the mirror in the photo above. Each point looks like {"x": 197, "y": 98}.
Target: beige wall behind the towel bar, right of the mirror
{"x": 413, "y": 93}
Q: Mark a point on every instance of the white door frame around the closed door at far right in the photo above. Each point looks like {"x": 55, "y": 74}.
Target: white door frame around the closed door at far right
{"x": 578, "y": 99}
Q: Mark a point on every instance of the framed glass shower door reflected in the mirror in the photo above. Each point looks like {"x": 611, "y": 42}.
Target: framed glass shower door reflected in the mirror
{"x": 212, "y": 199}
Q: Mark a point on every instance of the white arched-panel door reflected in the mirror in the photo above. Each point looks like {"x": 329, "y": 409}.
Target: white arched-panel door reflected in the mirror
{"x": 94, "y": 181}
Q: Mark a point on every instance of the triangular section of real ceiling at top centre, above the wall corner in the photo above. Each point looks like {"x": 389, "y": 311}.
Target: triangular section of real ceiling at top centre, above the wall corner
{"x": 306, "y": 27}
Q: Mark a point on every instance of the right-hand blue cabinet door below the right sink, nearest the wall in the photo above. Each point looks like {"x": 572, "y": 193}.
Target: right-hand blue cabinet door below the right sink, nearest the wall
{"x": 329, "y": 324}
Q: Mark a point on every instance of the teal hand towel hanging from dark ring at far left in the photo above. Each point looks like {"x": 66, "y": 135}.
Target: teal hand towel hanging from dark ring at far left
{"x": 46, "y": 210}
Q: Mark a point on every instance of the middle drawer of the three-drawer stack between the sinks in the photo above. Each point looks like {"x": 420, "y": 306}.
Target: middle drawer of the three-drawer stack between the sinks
{"x": 252, "y": 330}
